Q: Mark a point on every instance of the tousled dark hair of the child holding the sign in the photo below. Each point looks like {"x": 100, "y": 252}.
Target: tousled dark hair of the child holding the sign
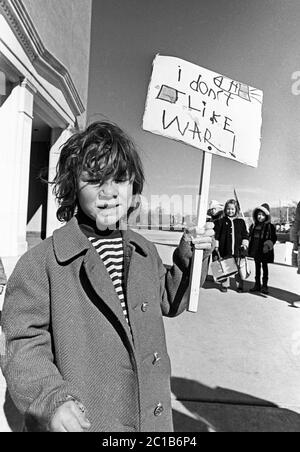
{"x": 104, "y": 152}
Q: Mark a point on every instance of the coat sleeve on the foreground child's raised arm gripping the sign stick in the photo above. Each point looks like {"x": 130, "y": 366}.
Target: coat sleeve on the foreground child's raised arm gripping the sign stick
{"x": 174, "y": 281}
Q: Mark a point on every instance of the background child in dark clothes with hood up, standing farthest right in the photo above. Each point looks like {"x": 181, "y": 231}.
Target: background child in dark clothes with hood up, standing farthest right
{"x": 261, "y": 247}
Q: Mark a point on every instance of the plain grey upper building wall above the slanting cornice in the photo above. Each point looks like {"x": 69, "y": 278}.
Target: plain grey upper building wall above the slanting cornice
{"x": 64, "y": 27}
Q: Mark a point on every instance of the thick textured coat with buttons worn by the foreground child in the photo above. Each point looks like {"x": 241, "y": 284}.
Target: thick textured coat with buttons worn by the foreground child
{"x": 66, "y": 334}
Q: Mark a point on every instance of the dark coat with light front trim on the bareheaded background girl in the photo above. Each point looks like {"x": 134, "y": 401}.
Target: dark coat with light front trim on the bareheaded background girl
{"x": 229, "y": 235}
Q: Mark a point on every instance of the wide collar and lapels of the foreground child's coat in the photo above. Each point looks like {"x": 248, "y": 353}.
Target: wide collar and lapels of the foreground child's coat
{"x": 69, "y": 242}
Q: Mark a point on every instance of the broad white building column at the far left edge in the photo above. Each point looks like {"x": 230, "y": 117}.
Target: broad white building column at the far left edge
{"x": 16, "y": 116}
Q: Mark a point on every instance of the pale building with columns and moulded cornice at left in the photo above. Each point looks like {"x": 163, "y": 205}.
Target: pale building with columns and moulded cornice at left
{"x": 44, "y": 62}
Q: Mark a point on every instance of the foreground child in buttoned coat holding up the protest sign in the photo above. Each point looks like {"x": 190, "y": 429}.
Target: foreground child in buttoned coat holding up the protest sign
{"x": 82, "y": 319}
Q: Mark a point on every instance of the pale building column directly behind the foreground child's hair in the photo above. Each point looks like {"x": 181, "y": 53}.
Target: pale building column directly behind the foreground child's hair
{"x": 58, "y": 139}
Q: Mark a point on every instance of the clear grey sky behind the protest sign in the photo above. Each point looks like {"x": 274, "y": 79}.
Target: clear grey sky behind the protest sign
{"x": 253, "y": 42}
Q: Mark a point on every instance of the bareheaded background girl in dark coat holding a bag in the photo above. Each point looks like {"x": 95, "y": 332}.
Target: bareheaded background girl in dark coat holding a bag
{"x": 231, "y": 239}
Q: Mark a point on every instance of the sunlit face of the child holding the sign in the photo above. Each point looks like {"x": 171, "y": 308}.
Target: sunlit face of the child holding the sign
{"x": 106, "y": 203}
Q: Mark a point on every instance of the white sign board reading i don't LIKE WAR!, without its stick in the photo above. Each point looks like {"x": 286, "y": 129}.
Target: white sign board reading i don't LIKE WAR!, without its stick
{"x": 204, "y": 109}
